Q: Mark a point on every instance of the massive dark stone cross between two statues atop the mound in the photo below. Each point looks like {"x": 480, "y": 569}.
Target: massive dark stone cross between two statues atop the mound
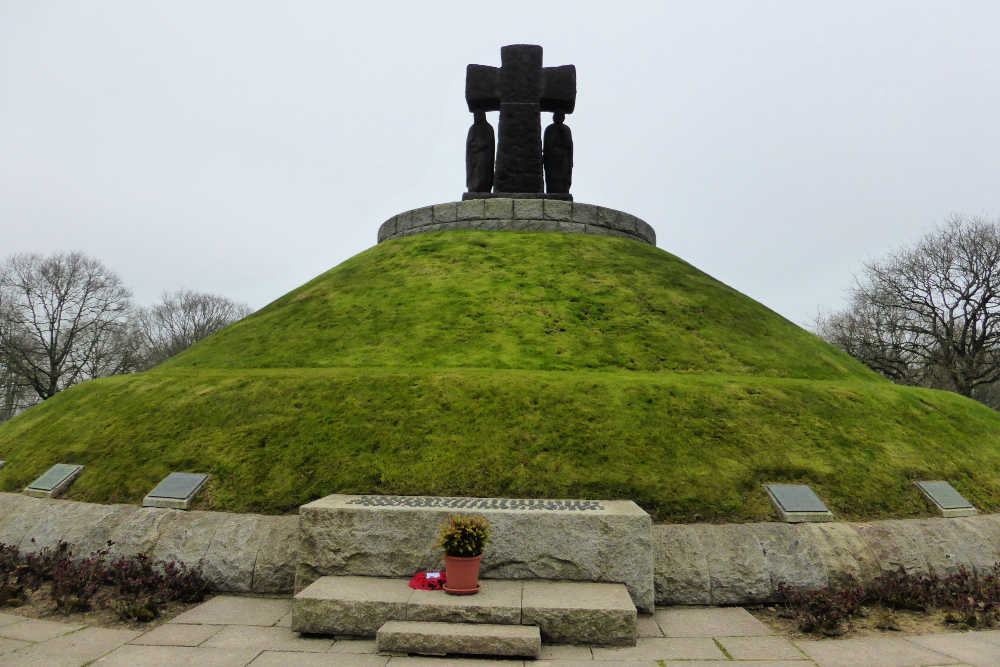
{"x": 520, "y": 89}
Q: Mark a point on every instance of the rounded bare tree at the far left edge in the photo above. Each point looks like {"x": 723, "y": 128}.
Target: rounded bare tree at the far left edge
{"x": 59, "y": 316}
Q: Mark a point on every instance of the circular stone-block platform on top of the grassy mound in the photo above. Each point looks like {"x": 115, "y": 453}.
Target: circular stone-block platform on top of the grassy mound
{"x": 518, "y": 215}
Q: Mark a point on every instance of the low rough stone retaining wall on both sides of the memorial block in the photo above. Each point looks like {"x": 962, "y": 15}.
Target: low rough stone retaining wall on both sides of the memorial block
{"x": 694, "y": 563}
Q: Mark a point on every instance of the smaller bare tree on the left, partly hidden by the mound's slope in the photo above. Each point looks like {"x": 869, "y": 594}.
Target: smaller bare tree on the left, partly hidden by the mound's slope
{"x": 182, "y": 319}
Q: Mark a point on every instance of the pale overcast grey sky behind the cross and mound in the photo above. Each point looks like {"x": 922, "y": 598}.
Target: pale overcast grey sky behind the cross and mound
{"x": 242, "y": 148}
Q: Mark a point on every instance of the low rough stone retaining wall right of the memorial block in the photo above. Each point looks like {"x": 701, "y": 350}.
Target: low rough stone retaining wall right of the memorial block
{"x": 745, "y": 563}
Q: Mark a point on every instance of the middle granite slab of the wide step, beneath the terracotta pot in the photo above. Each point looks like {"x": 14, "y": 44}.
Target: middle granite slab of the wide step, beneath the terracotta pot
{"x": 498, "y": 601}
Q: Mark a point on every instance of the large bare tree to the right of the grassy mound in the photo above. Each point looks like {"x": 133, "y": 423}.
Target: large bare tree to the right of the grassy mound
{"x": 929, "y": 314}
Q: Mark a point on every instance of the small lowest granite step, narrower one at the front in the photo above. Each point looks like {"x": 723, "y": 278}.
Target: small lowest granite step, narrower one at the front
{"x": 434, "y": 638}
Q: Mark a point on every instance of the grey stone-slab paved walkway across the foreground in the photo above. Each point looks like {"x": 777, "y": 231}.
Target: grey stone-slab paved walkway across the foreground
{"x": 230, "y": 630}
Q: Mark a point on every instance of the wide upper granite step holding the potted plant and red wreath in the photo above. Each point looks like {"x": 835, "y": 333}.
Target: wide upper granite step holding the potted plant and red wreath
{"x": 566, "y": 612}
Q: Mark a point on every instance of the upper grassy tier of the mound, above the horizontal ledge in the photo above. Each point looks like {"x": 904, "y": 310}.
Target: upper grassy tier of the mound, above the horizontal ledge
{"x": 527, "y": 301}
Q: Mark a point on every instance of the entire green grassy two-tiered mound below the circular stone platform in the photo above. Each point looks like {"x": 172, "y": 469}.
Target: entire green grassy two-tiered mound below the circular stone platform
{"x": 519, "y": 365}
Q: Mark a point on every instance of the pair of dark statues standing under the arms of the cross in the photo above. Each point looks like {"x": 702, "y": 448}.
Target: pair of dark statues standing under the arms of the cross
{"x": 557, "y": 155}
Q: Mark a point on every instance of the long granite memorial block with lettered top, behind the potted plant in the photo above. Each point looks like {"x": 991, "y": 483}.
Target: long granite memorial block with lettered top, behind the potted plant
{"x": 395, "y": 536}
